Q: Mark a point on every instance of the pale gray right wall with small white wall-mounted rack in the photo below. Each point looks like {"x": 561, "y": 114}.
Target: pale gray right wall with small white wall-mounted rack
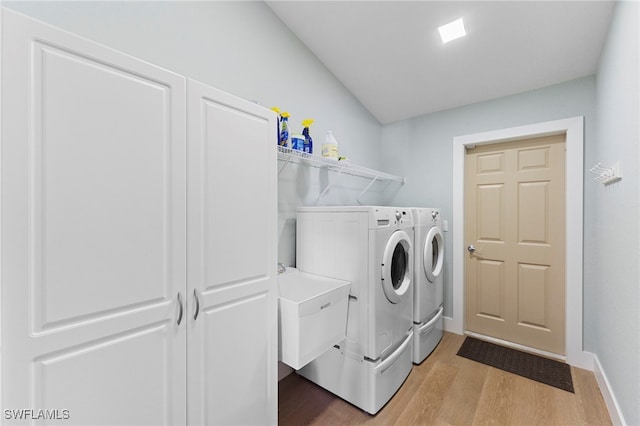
{"x": 612, "y": 257}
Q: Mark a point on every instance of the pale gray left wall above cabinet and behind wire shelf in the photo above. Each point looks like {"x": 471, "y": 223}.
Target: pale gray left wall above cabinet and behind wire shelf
{"x": 244, "y": 49}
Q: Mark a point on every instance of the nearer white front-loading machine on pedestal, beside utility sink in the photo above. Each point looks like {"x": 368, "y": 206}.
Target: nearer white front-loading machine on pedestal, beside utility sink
{"x": 372, "y": 247}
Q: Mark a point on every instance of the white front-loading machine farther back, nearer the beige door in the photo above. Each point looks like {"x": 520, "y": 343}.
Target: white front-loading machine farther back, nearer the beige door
{"x": 428, "y": 282}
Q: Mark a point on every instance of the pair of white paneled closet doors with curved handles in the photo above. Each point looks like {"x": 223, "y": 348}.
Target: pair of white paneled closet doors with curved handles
{"x": 138, "y": 240}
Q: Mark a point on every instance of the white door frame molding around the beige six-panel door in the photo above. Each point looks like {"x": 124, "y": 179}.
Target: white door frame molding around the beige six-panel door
{"x": 574, "y": 129}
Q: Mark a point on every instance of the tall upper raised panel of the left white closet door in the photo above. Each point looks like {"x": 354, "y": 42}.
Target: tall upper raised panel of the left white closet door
{"x": 100, "y": 202}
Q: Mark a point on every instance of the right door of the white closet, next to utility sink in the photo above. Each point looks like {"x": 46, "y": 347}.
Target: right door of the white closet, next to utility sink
{"x": 232, "y": 247}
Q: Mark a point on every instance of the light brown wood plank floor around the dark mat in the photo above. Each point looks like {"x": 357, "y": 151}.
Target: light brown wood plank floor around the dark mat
{"x": 450, "y": 390}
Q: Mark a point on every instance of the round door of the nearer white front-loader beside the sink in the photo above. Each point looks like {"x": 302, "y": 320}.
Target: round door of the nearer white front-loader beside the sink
{"x": 396, "y": 266}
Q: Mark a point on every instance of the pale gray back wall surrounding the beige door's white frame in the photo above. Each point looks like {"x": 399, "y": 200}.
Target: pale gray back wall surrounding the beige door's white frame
{"x": 422, "y": 147}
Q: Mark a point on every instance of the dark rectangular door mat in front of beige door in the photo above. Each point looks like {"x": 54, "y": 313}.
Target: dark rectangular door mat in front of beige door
{"x": 527, "y": 365}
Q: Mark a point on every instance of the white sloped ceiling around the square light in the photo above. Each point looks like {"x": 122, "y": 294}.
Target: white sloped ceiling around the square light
{"x": 390, "y": 56}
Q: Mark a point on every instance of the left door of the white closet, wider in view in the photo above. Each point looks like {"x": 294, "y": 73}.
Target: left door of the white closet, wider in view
{"x": 93, "y": 230}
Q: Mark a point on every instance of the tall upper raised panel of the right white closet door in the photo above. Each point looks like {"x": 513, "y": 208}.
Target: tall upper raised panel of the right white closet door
{"x": 238, "y": 191}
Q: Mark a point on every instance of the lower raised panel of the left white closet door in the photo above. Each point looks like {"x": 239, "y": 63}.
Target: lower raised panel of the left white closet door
{"x": 130, "y": 393}
